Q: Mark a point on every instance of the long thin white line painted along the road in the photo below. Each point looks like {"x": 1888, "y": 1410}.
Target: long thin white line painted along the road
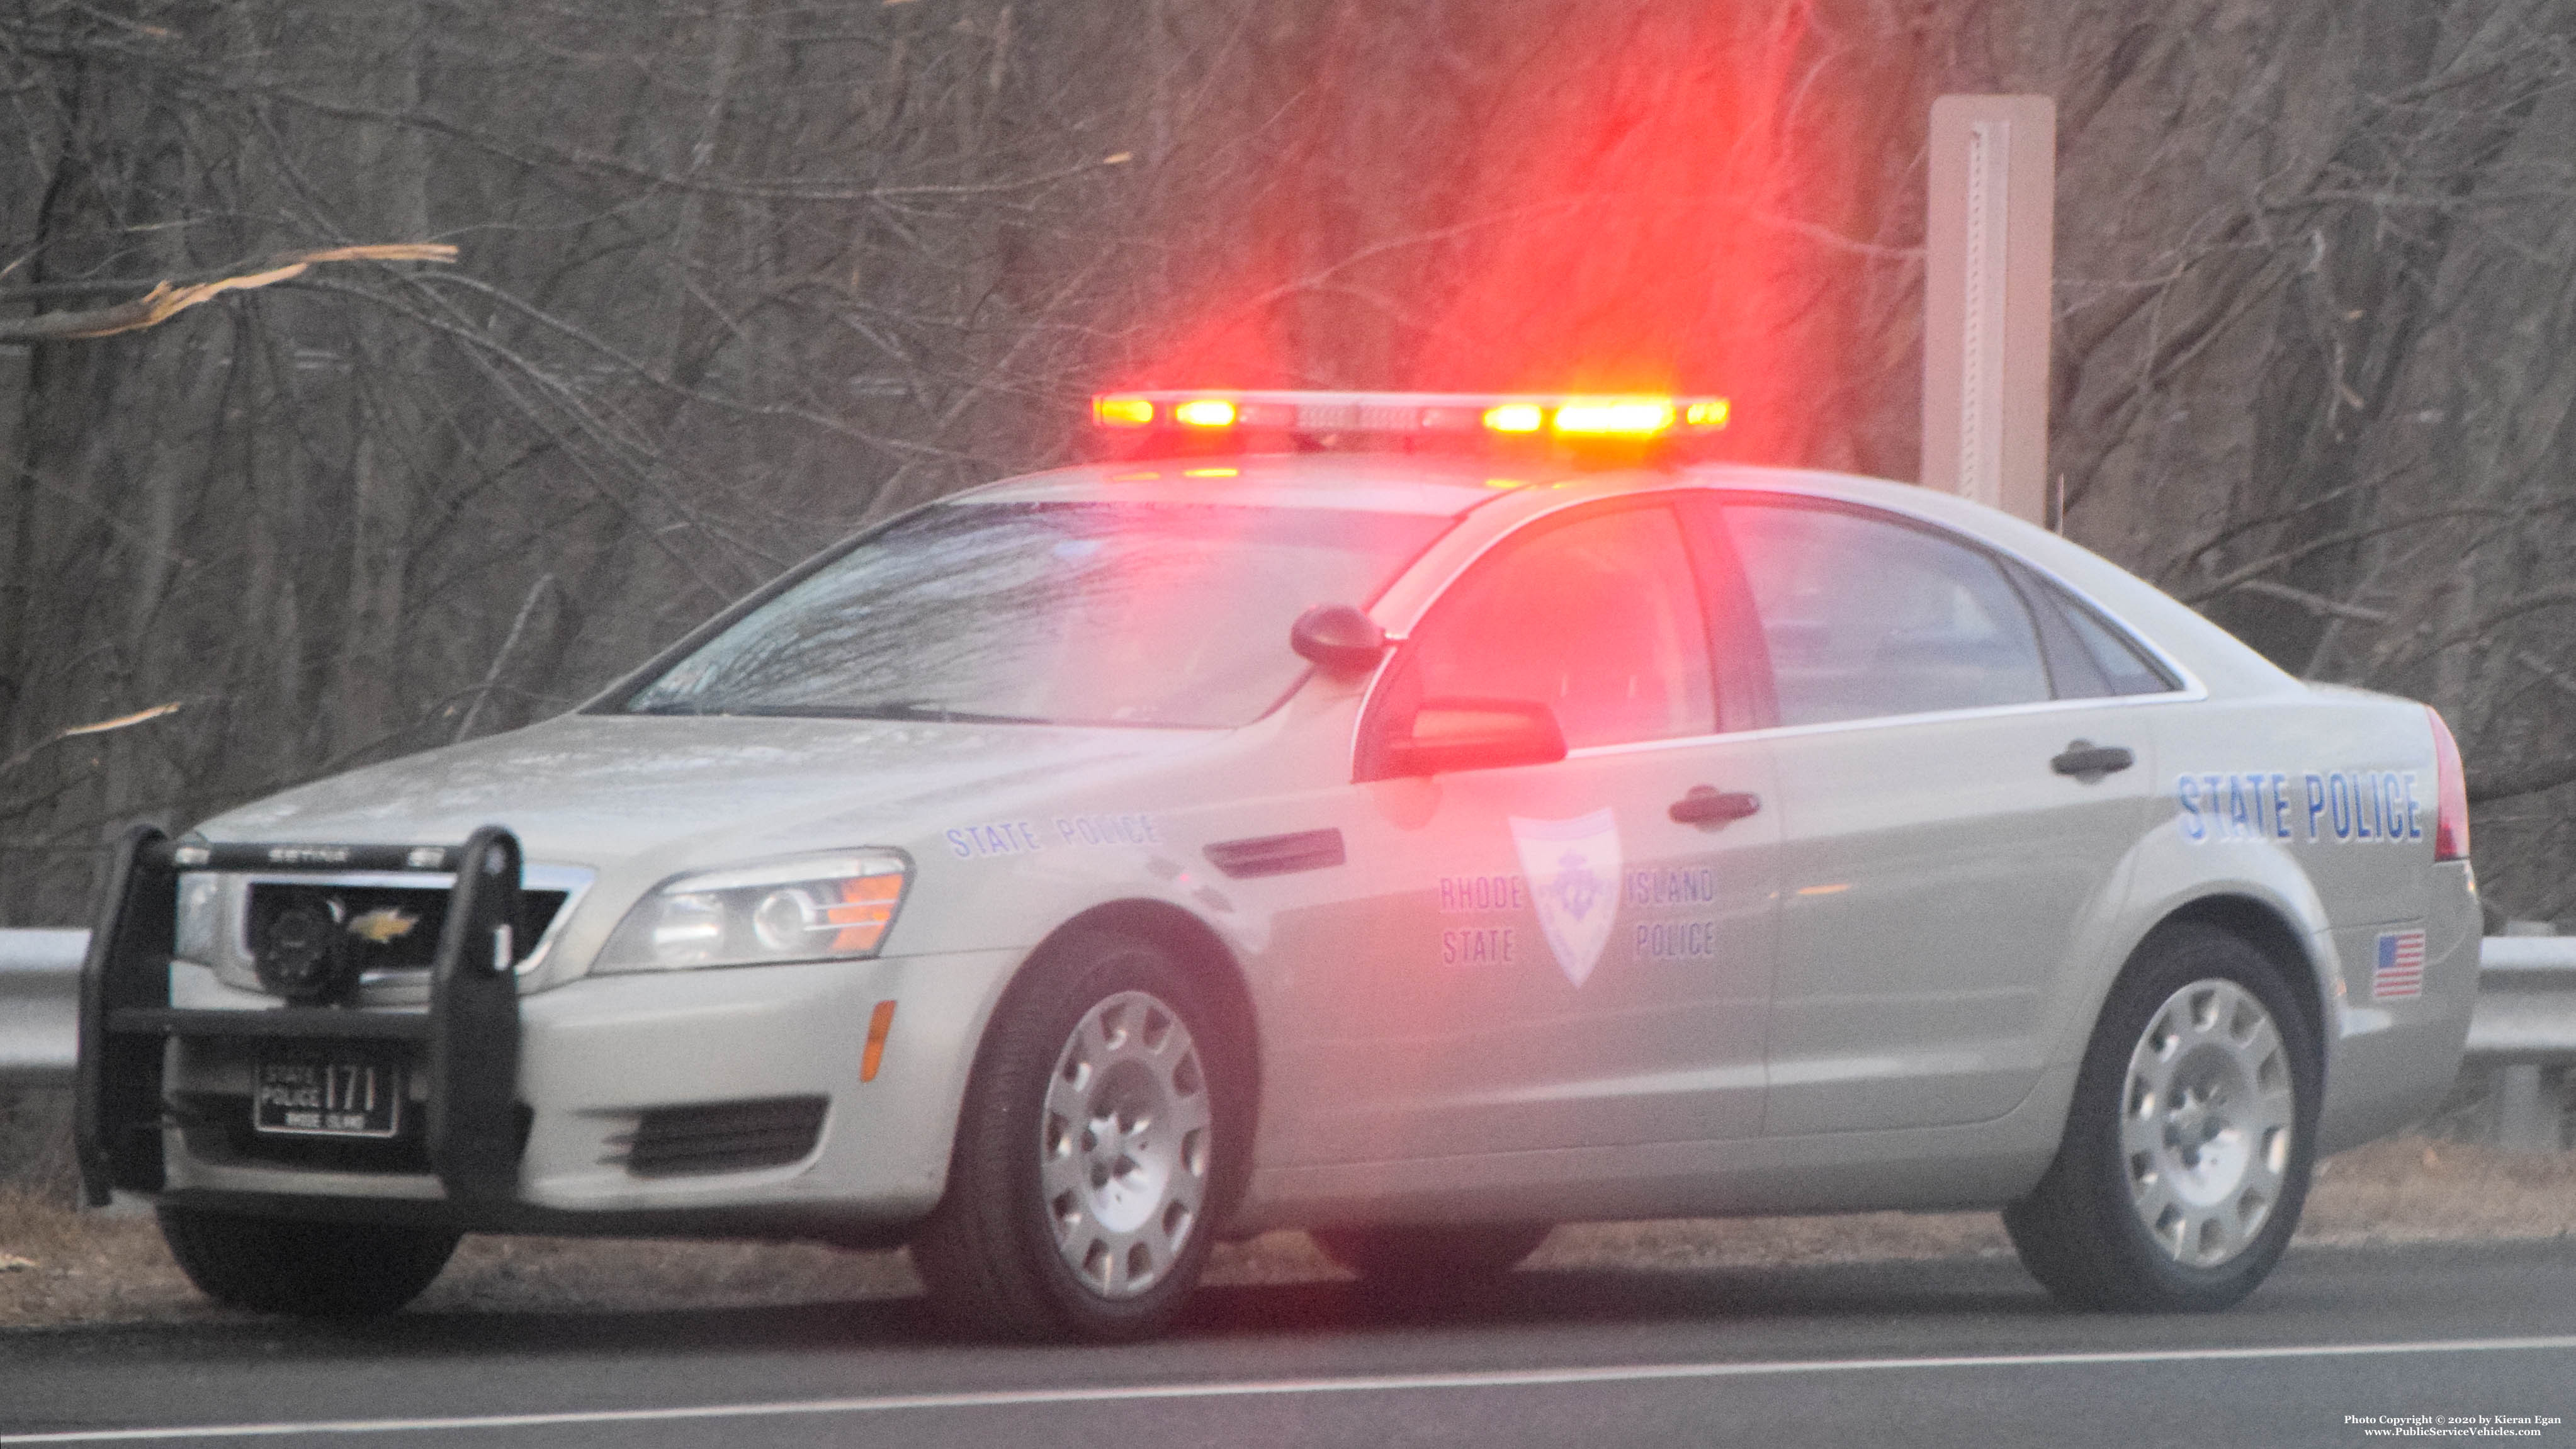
{"x": 1269, "y": 1389}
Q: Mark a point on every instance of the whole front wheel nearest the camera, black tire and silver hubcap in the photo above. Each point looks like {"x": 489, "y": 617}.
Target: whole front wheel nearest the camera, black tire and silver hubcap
{"x": 998, "y": 1255}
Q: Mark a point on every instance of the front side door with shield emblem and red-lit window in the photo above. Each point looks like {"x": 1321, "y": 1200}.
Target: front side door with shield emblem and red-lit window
{"x": 1570, "y": 954}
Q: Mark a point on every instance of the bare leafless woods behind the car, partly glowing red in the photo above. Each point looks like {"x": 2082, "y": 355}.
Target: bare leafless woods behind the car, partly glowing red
{"x": 738, "y": 277}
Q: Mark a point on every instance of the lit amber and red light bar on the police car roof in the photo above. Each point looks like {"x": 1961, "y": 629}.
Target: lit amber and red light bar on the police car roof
{"x": 1640, "y": 418}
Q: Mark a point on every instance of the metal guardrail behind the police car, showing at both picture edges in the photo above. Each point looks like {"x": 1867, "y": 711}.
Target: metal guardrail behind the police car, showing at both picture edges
{"x": 2526, "y": 1020}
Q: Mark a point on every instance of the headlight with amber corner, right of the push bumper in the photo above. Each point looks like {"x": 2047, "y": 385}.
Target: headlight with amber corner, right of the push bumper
{"x": 810, "y": 907}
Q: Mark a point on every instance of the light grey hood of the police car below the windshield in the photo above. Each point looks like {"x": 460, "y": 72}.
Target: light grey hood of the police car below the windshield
{"x": 599, "y": 789}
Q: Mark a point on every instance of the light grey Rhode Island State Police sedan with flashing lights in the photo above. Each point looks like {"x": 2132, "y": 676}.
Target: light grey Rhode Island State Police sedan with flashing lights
{"x": 1416, "y": 820}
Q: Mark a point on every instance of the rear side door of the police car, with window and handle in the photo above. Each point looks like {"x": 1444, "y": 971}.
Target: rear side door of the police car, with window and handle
{"x": 1959, "y": 799}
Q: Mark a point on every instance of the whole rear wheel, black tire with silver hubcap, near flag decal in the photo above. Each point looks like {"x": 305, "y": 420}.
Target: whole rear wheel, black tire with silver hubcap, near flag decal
{"x": 2085, "y": 1232}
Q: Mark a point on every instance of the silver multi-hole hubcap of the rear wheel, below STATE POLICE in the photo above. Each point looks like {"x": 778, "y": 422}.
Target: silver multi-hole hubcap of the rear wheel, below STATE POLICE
{"x": 2206, "y": 1123}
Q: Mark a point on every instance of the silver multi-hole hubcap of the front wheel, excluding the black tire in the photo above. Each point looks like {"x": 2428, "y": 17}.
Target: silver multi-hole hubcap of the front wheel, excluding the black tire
{"x": 1124, "y": 1144}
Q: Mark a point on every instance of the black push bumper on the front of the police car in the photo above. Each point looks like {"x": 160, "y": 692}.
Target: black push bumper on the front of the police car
{"x": 468, "y": 1041}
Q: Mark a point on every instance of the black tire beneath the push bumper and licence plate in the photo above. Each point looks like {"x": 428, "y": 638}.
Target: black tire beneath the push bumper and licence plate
{"x": 313, "y": 1270}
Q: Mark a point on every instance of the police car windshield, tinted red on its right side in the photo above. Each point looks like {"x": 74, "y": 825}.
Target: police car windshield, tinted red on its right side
{"x": 1122, "y": 614}
